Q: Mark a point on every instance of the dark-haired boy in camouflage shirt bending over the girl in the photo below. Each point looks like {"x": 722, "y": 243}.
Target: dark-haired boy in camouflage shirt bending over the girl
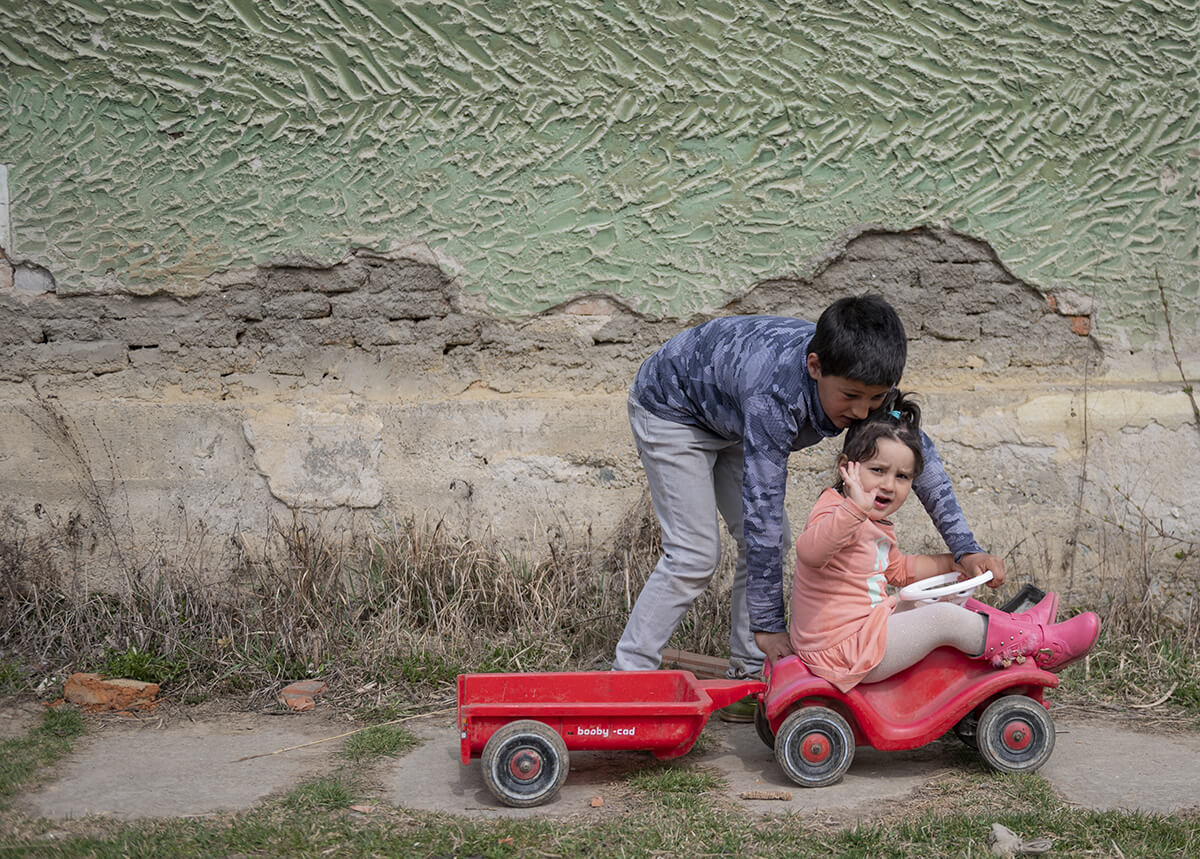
{"x": 716, "y": 415}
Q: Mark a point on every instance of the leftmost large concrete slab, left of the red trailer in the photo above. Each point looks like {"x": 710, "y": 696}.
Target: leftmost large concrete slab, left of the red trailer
{"x": 184, "y": 770}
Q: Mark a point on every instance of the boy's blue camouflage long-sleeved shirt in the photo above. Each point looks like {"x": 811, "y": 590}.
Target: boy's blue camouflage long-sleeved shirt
{"x": 746, "y": 379}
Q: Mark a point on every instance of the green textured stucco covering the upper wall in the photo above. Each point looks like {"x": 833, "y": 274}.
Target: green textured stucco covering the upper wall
{"x": 669, "y": 154}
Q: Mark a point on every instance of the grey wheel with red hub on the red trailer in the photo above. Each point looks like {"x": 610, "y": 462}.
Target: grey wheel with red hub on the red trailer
{"x": 525, "y": 764}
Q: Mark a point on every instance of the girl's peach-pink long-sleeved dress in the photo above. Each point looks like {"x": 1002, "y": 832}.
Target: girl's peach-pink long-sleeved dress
{"x": 841, "y": 605}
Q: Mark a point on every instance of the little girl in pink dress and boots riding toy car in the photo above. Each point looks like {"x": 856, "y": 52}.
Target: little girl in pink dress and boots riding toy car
{"x": 844, "y": 624}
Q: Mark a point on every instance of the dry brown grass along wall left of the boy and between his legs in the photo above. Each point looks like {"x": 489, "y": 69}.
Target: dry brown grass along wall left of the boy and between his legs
{"x": 399, "y": 609}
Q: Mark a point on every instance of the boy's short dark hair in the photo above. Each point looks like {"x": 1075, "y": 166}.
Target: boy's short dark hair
{"x": 861, "y": 338}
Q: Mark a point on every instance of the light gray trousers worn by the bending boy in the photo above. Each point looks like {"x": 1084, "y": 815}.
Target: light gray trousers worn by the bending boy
{"x": 693, "y": 476}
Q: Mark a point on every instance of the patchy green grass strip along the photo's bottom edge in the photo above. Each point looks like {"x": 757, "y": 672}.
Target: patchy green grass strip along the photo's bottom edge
{"x": 945, "y": 825}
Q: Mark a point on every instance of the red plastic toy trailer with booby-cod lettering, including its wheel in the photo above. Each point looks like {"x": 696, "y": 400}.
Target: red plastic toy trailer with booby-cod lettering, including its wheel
{"x": 521, "y": 726}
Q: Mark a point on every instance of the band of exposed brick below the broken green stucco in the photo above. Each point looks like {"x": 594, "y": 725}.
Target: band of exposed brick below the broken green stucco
{"x": 302, "y": 326}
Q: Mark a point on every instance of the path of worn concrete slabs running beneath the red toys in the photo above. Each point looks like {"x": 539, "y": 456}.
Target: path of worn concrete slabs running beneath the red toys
{"x": 188, "y": 765}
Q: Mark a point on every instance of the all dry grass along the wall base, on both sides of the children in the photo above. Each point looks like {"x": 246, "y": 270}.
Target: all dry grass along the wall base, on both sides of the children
{"x": 392, "y": 614}
